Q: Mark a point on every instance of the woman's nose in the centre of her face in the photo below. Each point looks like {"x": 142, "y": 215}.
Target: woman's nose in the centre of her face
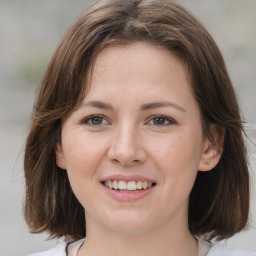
{"x": 127, "y": 148}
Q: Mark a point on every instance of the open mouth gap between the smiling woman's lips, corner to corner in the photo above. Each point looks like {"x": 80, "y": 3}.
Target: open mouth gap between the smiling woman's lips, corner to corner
{"x": 128, "y": 186}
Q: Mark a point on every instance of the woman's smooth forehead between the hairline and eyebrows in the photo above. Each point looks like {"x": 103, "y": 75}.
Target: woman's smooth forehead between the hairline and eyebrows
{"x": 143, "y": 71}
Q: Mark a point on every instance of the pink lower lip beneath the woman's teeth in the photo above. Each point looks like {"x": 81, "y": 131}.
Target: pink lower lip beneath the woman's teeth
{"x": 127, "y": 196}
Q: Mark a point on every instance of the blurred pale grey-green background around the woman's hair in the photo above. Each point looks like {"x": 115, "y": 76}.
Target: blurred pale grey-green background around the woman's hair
{"x": 29, "y": 33}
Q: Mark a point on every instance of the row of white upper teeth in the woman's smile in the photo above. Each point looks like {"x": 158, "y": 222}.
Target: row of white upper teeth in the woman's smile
{"x": 128, "y": 186}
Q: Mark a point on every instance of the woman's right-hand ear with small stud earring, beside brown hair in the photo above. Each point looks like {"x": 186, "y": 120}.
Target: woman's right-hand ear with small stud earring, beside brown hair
{"x": 213, "y": 148}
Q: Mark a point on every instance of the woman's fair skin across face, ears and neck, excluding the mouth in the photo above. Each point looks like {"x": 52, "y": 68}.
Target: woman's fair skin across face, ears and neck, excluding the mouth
{"x": 127, "y": 139}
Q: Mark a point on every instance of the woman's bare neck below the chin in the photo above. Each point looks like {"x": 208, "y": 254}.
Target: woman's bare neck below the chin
{"x": 164, "y": 241}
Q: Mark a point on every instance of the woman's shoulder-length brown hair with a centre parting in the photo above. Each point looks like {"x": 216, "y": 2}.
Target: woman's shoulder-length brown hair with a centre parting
{"x": 219, "y": 200}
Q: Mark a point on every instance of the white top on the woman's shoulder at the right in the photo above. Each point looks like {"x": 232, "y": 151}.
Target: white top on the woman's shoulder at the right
{"x": 221, "y": 250}
